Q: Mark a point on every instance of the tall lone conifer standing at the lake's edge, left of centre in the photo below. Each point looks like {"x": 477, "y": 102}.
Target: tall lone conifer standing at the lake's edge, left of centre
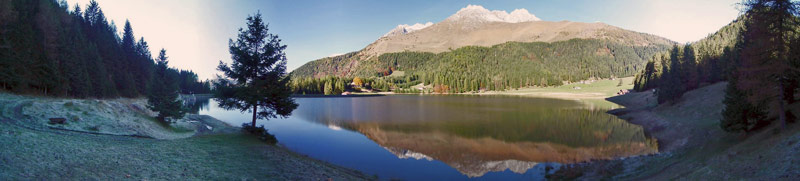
{"x": 257, "y": 76}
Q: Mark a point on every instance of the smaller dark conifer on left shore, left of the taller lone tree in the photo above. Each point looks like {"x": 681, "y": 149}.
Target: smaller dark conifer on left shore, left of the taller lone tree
{"x": 163, "y": 97}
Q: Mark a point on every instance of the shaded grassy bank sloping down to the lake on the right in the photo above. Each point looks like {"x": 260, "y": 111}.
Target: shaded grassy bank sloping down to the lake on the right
{"x": 692, "y": 145}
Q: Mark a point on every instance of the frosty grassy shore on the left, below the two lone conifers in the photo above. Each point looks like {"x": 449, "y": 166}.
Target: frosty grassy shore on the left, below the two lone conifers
{"x": 116, "y": 139}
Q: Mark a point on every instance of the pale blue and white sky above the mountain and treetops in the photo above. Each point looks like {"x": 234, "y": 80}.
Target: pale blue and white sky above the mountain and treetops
{"x": 195, "y": 33}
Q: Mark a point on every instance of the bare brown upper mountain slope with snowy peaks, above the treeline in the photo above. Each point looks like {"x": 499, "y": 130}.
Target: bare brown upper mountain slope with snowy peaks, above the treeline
{"x": 476, "y": 26}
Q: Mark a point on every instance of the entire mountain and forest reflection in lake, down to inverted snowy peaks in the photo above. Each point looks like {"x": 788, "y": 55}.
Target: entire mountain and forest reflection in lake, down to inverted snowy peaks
{"x": 480, "y": 134}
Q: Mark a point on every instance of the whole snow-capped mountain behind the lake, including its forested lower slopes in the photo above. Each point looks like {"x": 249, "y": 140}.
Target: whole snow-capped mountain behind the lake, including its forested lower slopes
{"x": 504, "y": 50}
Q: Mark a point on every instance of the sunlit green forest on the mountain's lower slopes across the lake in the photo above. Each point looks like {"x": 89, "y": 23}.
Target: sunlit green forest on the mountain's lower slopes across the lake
{"x": 501, "y": 67}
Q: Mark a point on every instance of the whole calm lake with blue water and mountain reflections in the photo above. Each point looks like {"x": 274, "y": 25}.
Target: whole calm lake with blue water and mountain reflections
{"x": 450, "y": 137}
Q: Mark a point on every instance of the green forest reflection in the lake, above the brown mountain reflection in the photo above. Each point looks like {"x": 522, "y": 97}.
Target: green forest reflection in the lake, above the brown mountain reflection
{"x": 509, "y": 119}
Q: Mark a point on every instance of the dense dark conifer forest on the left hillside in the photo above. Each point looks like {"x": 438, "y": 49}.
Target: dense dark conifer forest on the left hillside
{"x": 50, "y": 49}
